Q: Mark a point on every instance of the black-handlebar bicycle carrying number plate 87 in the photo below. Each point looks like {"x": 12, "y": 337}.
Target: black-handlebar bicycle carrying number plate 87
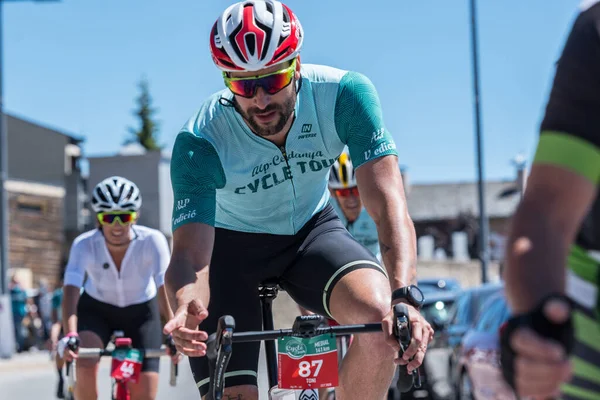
{"x": 303, "y": 363}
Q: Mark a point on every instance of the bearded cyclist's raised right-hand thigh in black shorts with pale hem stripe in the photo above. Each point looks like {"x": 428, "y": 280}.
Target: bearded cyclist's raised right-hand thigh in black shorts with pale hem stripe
{"x": 328, "y": 254}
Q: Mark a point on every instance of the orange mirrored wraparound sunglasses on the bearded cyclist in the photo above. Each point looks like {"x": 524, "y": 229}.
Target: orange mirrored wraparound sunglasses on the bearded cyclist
{"x": 271, "y": 83}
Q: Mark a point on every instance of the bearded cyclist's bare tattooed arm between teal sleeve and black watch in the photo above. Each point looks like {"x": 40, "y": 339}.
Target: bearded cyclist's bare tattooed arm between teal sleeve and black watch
{"x": 382, "y": 192}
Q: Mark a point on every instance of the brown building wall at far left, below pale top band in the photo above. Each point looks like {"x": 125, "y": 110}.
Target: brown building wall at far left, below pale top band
{"x": 36, "y": 235}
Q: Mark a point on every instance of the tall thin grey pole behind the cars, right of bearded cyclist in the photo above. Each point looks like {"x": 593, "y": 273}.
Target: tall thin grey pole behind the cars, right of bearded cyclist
{"x": 483, "y": 222}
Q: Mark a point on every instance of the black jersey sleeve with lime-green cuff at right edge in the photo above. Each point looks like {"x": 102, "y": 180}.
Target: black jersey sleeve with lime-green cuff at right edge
{"x": 570, "y": 131}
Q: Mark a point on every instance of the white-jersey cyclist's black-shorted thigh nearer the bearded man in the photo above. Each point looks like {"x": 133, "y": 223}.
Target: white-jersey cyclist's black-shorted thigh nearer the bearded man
{"x": 141, "y": 323}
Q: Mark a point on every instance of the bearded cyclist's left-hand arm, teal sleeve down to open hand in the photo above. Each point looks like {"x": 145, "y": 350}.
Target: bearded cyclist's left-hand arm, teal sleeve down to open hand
{"x": 196, "y": 174}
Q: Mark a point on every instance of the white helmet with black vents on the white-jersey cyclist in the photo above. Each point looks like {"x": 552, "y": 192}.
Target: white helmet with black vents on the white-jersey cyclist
{"x": 116, "y": 194}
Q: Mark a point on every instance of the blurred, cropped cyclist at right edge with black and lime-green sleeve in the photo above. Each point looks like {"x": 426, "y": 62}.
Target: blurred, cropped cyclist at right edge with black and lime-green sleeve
{"x": 553, "y": 252}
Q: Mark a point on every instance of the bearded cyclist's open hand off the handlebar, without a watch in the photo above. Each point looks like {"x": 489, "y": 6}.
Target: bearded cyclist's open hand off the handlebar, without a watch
{"x": 189, "y": 340}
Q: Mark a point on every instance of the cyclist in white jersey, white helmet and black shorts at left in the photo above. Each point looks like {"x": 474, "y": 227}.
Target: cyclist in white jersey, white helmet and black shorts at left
{"x": 125, "y": 266}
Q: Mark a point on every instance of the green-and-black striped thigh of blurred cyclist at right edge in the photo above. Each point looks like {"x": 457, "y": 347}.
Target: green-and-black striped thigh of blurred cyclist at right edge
{"x": 585, "y": 383}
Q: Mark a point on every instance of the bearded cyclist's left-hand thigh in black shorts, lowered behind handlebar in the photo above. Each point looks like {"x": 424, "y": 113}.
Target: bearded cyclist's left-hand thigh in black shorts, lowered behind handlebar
{"x": 234, "y": 282}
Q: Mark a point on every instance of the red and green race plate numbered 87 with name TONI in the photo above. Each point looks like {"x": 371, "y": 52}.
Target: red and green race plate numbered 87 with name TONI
{"x": 307, "y": 363}
